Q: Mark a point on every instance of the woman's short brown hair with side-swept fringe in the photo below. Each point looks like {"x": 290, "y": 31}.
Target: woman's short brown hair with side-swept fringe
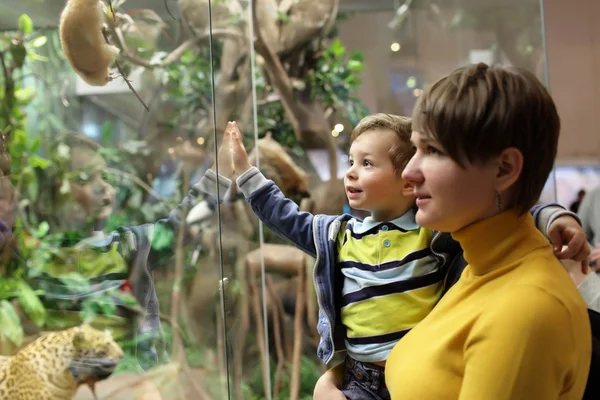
{"x": 478, "y": 111}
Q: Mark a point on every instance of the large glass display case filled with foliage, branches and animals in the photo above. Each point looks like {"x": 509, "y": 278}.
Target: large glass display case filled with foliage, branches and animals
{"x": 112, "y": 223}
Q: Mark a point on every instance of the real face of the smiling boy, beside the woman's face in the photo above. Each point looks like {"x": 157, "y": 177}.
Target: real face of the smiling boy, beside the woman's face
{"x": 371, "y": 181}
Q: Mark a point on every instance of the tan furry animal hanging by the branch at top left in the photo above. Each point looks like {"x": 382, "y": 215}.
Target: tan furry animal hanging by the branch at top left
{"x": 82, "y": 41}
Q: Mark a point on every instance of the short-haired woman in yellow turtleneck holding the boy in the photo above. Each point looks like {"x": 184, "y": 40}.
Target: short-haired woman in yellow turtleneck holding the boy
{"x": 513, "y": 326}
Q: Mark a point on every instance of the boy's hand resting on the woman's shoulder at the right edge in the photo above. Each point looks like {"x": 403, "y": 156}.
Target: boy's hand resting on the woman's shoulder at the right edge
{"x": 569, "y": 241}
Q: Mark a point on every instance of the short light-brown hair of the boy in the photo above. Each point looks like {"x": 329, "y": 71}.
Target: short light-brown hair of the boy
{"x": 401, "y": 153}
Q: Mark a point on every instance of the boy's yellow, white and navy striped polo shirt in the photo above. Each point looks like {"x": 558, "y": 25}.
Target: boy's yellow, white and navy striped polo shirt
{"x": 391, "y": 282}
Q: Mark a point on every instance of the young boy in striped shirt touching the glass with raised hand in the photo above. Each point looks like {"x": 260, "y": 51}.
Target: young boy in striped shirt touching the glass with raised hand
{"x": 375, "y": 279}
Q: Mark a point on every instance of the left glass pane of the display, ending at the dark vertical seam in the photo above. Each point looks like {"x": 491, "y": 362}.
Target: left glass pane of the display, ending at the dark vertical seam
{"x": 102, "y": 219}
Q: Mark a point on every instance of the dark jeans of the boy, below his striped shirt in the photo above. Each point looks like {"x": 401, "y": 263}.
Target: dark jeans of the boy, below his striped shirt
{"x": 364, "y": 381}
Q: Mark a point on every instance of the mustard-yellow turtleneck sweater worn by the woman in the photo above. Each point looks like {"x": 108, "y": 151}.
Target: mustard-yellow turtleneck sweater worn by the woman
{"x": 513, "y": 327}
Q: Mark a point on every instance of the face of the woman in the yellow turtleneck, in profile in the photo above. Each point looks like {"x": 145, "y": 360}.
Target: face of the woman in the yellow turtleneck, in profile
{"x": 449, "y": 196}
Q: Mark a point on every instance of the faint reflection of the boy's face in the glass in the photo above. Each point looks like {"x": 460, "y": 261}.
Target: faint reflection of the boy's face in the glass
{"x": 90, "y": 187}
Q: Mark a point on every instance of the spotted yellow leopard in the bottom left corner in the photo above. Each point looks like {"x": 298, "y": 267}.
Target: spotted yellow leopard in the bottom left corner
{"x": 53, "y": 366}
